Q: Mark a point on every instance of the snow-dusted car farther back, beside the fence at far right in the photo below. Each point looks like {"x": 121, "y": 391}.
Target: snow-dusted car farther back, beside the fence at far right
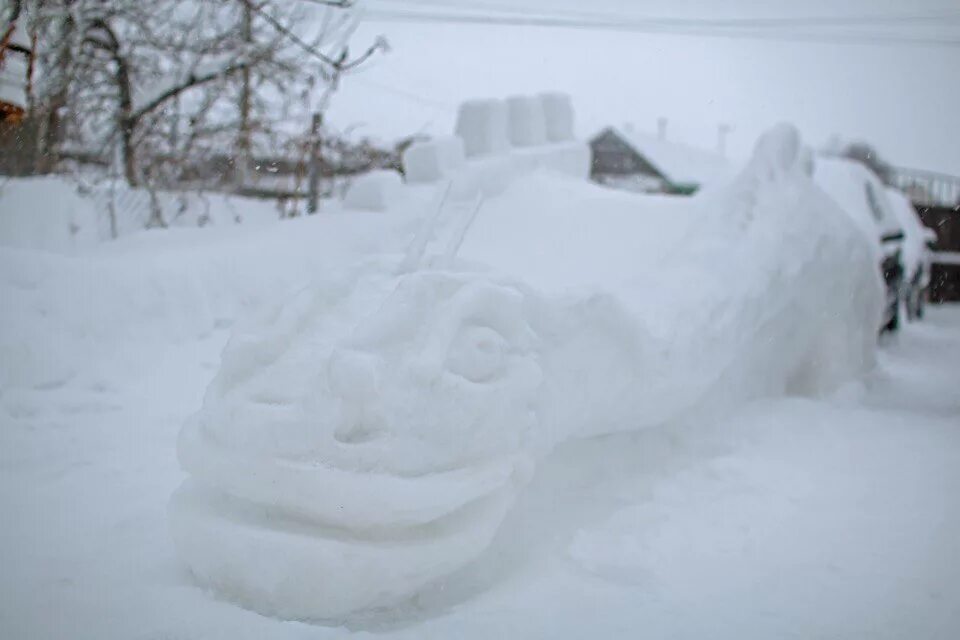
{"x": 917, "y": 242}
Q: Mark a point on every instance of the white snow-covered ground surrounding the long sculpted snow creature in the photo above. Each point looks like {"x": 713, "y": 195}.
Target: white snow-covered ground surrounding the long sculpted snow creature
{"x": 831, "y": 517}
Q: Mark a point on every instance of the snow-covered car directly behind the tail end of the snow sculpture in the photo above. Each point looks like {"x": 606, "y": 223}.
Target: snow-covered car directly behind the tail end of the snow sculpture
{"x": 863, "y": 196}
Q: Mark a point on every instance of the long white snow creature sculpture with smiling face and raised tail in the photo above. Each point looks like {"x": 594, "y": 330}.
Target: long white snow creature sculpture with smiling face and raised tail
{"x": 368, "y": 437}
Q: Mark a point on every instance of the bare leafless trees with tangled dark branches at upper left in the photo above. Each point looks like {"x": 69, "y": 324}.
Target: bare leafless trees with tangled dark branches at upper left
{"x": 131, "y": 75}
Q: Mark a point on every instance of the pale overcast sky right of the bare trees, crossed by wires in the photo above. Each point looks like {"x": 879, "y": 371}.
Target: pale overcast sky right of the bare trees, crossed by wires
{"x": 905, "y": 99}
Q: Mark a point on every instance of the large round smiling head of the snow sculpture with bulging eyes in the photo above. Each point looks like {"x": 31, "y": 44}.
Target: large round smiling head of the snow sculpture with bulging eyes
{"x": 362, "y": 440}
